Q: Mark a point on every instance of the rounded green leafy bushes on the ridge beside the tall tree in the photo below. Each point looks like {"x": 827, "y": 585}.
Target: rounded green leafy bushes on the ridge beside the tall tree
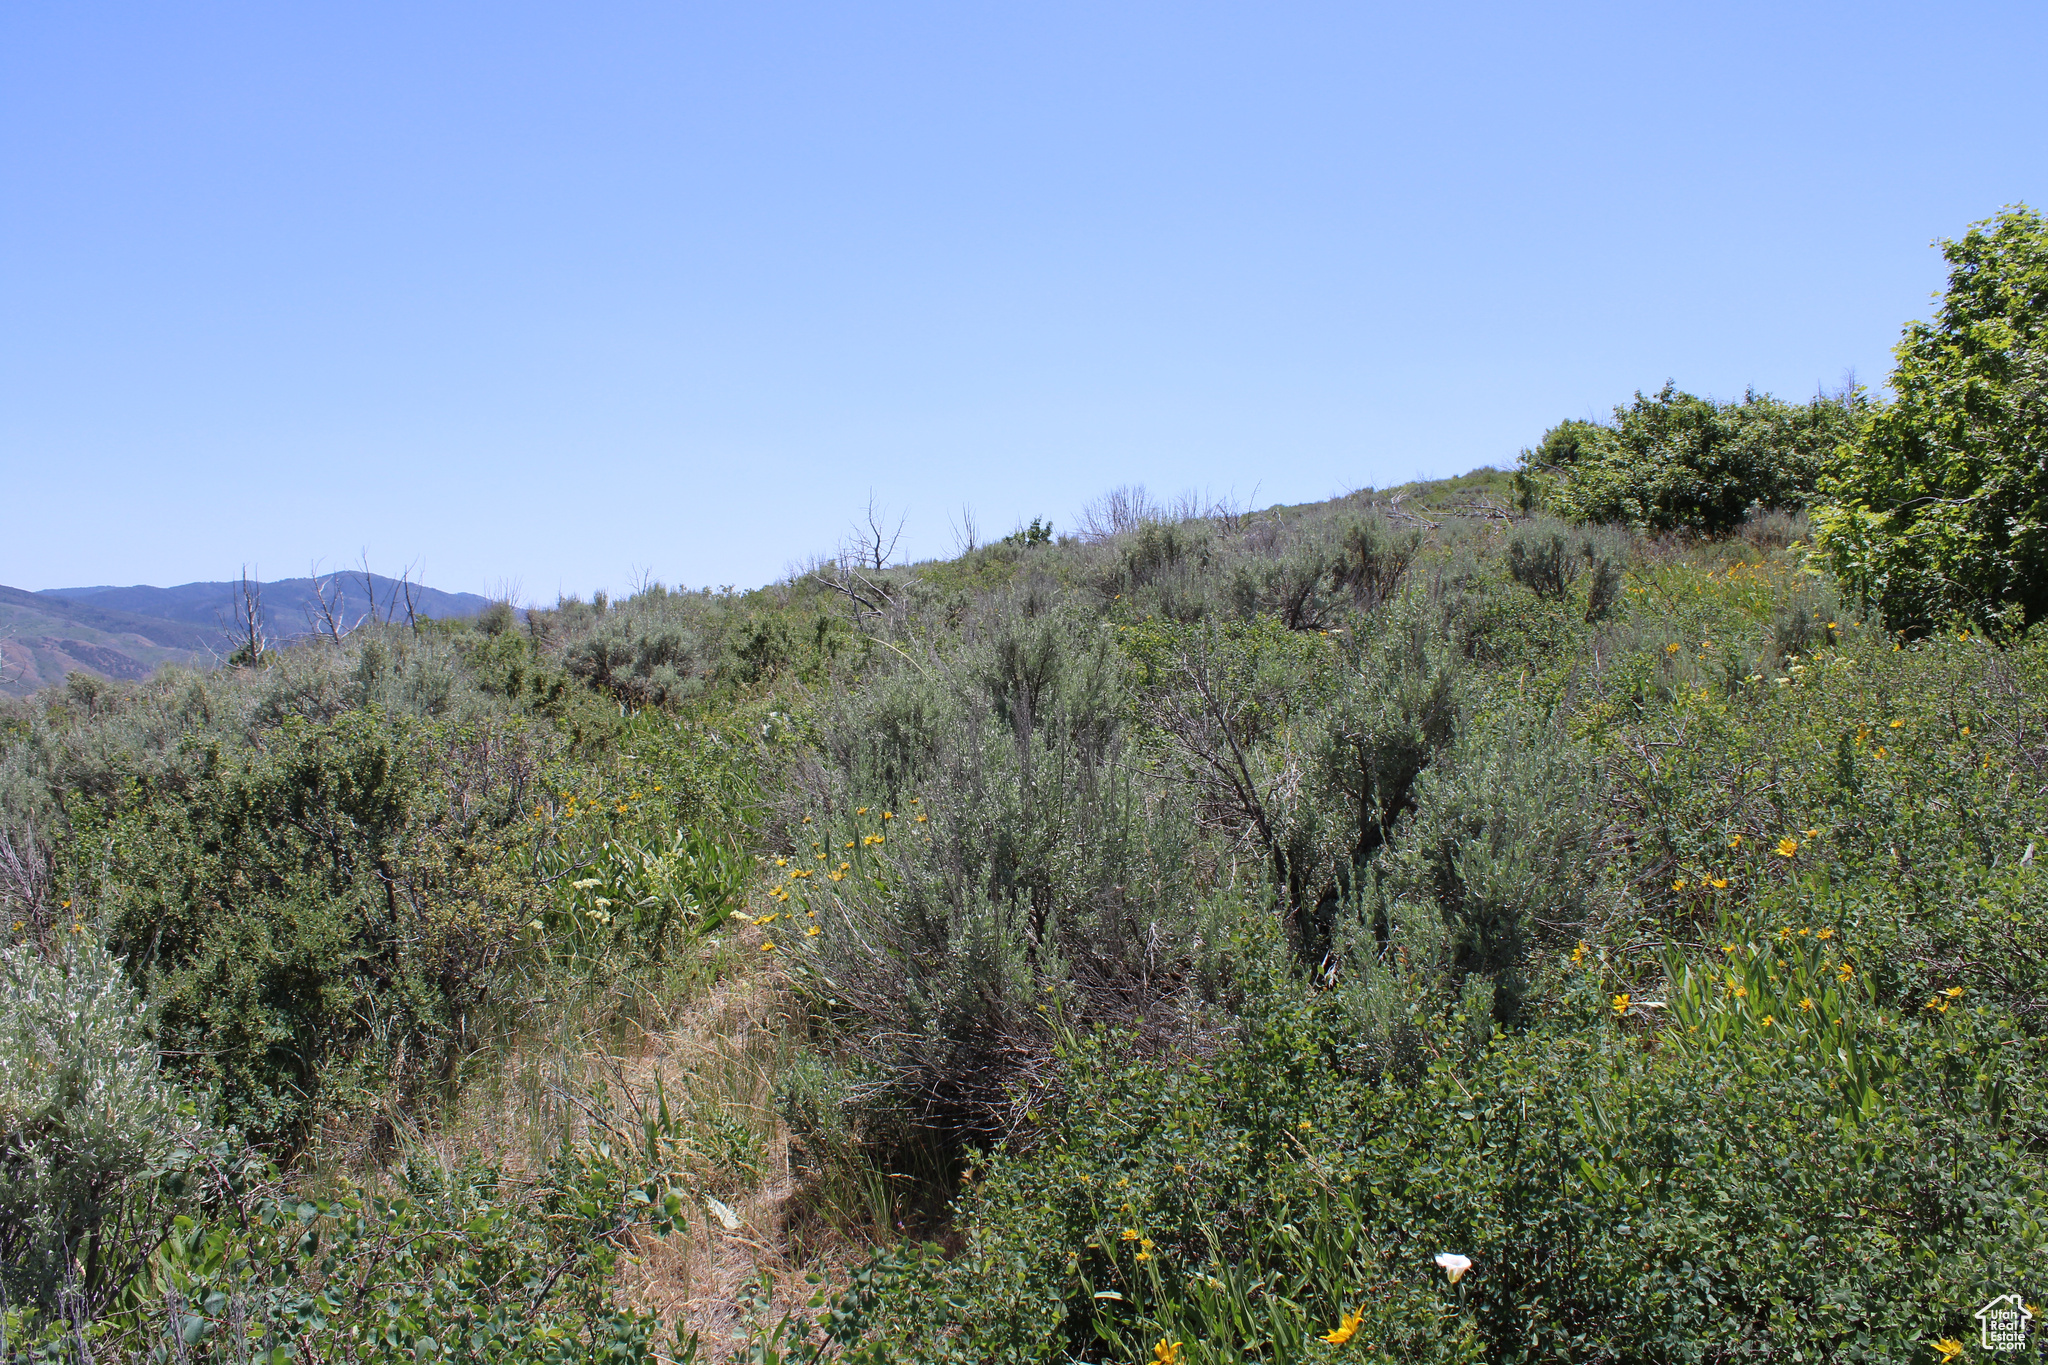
{"x": 1678, "y": 461}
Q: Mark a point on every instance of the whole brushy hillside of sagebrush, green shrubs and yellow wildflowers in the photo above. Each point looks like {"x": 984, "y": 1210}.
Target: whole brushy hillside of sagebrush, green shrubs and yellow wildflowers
{"x": 1512, "y": 918}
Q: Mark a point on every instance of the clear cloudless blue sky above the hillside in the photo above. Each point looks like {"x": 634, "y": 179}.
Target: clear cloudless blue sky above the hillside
{"x": 554, "y": 294}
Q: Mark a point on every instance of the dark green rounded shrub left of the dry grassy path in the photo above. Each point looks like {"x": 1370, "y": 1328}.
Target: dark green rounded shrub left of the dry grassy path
{"x": 321, "y": 922}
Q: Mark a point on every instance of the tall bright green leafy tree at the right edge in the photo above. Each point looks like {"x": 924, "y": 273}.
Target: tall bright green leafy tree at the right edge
{"x": 1943, "y": 507}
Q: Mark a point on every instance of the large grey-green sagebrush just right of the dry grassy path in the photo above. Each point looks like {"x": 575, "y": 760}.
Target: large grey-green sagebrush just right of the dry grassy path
{"x": 978, "y": 850}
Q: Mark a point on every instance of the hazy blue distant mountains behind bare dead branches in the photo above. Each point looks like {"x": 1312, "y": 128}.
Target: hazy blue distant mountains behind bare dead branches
{"x": 128, "y": 633}
